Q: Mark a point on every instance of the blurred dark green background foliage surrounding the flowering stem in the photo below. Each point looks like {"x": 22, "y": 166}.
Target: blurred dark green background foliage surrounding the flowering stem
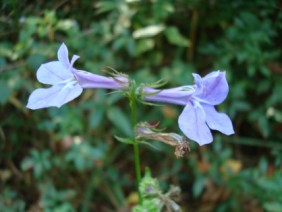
{"x": 68, "y": 160}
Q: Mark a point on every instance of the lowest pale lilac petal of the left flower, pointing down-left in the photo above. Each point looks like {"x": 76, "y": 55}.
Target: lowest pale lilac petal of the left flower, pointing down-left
{"x": 56, "y": 95}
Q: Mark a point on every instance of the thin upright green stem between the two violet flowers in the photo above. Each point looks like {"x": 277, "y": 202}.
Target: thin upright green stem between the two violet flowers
{"x": 135, "y": 144}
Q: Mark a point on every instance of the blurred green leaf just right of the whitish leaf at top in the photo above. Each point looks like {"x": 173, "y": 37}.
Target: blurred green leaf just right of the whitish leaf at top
{"x": 174, "y": 37}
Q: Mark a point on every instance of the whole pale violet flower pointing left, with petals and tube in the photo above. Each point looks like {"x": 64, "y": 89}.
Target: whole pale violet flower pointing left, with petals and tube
{"x": 67, "y": 82}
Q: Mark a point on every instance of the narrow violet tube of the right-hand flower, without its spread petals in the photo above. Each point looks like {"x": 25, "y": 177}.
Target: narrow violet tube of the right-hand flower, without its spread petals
{"x": 178, "y": 95}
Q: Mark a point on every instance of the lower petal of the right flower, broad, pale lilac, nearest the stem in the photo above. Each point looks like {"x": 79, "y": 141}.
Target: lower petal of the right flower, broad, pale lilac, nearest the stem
{"x": 192, "y": 122}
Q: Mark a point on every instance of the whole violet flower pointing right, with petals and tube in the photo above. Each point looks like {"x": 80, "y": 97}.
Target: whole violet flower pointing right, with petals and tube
{"x": 199, "y": 114}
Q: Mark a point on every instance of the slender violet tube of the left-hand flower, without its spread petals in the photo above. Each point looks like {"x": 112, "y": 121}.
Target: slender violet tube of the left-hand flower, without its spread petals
{"x": 90, "y": 80}
